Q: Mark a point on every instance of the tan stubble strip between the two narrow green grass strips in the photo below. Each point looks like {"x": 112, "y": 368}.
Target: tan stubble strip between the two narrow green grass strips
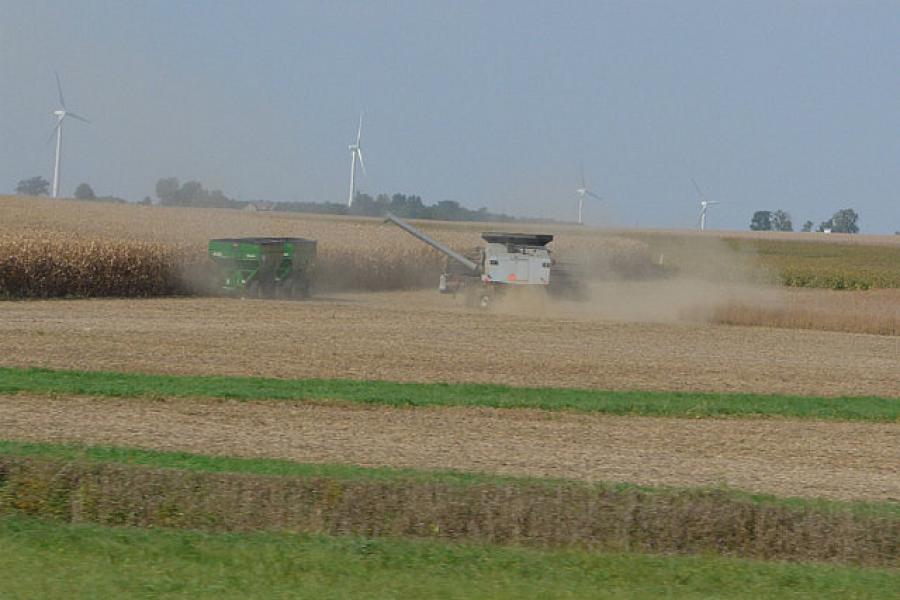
{"x": 849, "y": 461}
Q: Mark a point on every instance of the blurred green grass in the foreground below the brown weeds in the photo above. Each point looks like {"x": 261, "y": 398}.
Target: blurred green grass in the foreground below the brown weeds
{"x": 39, "y": 559}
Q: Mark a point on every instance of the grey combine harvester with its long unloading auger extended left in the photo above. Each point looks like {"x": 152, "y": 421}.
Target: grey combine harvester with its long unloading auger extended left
{"x": 507, "y": 260}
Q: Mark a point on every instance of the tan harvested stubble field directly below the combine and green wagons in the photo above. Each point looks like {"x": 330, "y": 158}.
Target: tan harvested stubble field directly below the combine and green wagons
{"x": 421, "y": 336}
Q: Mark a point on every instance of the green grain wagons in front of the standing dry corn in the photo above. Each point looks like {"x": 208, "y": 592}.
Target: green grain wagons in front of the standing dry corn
{"x": 264, "y": 267}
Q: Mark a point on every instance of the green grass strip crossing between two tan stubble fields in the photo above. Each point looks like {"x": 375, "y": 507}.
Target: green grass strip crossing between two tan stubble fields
{"x": 652, "y": 403}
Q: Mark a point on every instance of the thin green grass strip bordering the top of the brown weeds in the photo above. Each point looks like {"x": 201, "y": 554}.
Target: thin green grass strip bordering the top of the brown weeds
{"x": 285, "y": 468}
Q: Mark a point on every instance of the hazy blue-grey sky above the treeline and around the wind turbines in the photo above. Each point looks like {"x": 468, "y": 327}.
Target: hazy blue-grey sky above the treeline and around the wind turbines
{"x": 792, "y": 105}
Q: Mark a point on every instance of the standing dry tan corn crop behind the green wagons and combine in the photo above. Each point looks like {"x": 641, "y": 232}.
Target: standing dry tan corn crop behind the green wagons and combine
{"x": 63, "y": 248}
